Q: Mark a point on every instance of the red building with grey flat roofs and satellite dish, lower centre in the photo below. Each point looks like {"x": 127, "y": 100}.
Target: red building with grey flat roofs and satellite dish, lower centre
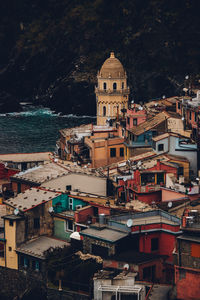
{"x": 143, "y": 240}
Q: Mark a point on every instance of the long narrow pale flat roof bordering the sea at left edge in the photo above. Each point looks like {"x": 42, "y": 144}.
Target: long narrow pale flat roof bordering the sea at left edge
{"x": 25, "y": 157}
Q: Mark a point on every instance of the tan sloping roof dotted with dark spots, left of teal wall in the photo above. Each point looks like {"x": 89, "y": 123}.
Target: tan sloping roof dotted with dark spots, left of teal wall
{"x": 30, "y": 198}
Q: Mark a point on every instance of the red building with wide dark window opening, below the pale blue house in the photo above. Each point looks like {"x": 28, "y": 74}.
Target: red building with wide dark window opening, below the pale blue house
{"x": 147, "y": 181}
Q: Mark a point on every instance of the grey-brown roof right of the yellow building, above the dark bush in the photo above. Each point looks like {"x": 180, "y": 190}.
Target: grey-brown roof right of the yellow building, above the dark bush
{"x": 38, "y": 246}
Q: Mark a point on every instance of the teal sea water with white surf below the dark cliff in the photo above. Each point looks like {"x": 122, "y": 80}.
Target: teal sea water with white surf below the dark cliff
{"x": 35, "y": 129}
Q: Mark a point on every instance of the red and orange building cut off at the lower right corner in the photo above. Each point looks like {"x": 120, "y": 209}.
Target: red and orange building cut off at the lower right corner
{"x": 187, "y": 257}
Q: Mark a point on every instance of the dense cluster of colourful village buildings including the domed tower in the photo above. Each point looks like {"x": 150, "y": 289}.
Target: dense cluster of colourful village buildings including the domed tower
{"x": 125, "y": 190}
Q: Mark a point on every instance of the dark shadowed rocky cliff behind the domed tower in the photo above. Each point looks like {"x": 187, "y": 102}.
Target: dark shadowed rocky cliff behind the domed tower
{"x": 51, "y": 49}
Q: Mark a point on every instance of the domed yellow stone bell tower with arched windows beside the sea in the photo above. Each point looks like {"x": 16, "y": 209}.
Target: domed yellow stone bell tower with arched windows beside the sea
{"x": 112, "y": 91}
